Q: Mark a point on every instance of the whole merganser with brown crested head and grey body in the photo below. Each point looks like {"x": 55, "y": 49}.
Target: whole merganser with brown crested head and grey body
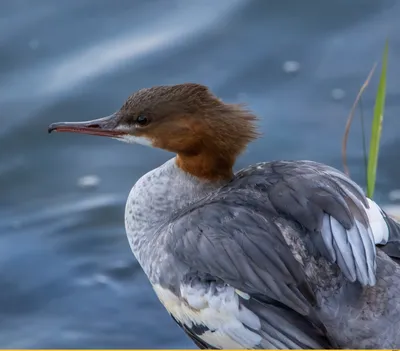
{"x": 280, "y": 255}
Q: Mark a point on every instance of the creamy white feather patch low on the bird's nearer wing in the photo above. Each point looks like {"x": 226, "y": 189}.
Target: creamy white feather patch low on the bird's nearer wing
{"x": 218, "y": 309}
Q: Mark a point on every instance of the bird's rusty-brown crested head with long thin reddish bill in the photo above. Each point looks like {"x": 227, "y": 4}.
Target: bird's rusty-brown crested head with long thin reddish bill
{"x": 206, "y": 134}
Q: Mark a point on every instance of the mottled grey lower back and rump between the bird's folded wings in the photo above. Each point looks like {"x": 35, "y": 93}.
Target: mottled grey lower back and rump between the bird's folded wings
{"x": 355, "y": 316}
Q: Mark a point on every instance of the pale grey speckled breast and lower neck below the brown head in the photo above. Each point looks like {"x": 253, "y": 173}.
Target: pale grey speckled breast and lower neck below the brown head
{"x": 152, "y": 202}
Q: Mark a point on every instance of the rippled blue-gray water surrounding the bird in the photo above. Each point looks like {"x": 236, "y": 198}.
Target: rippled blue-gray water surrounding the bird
{"x": 67, "y": 276}
